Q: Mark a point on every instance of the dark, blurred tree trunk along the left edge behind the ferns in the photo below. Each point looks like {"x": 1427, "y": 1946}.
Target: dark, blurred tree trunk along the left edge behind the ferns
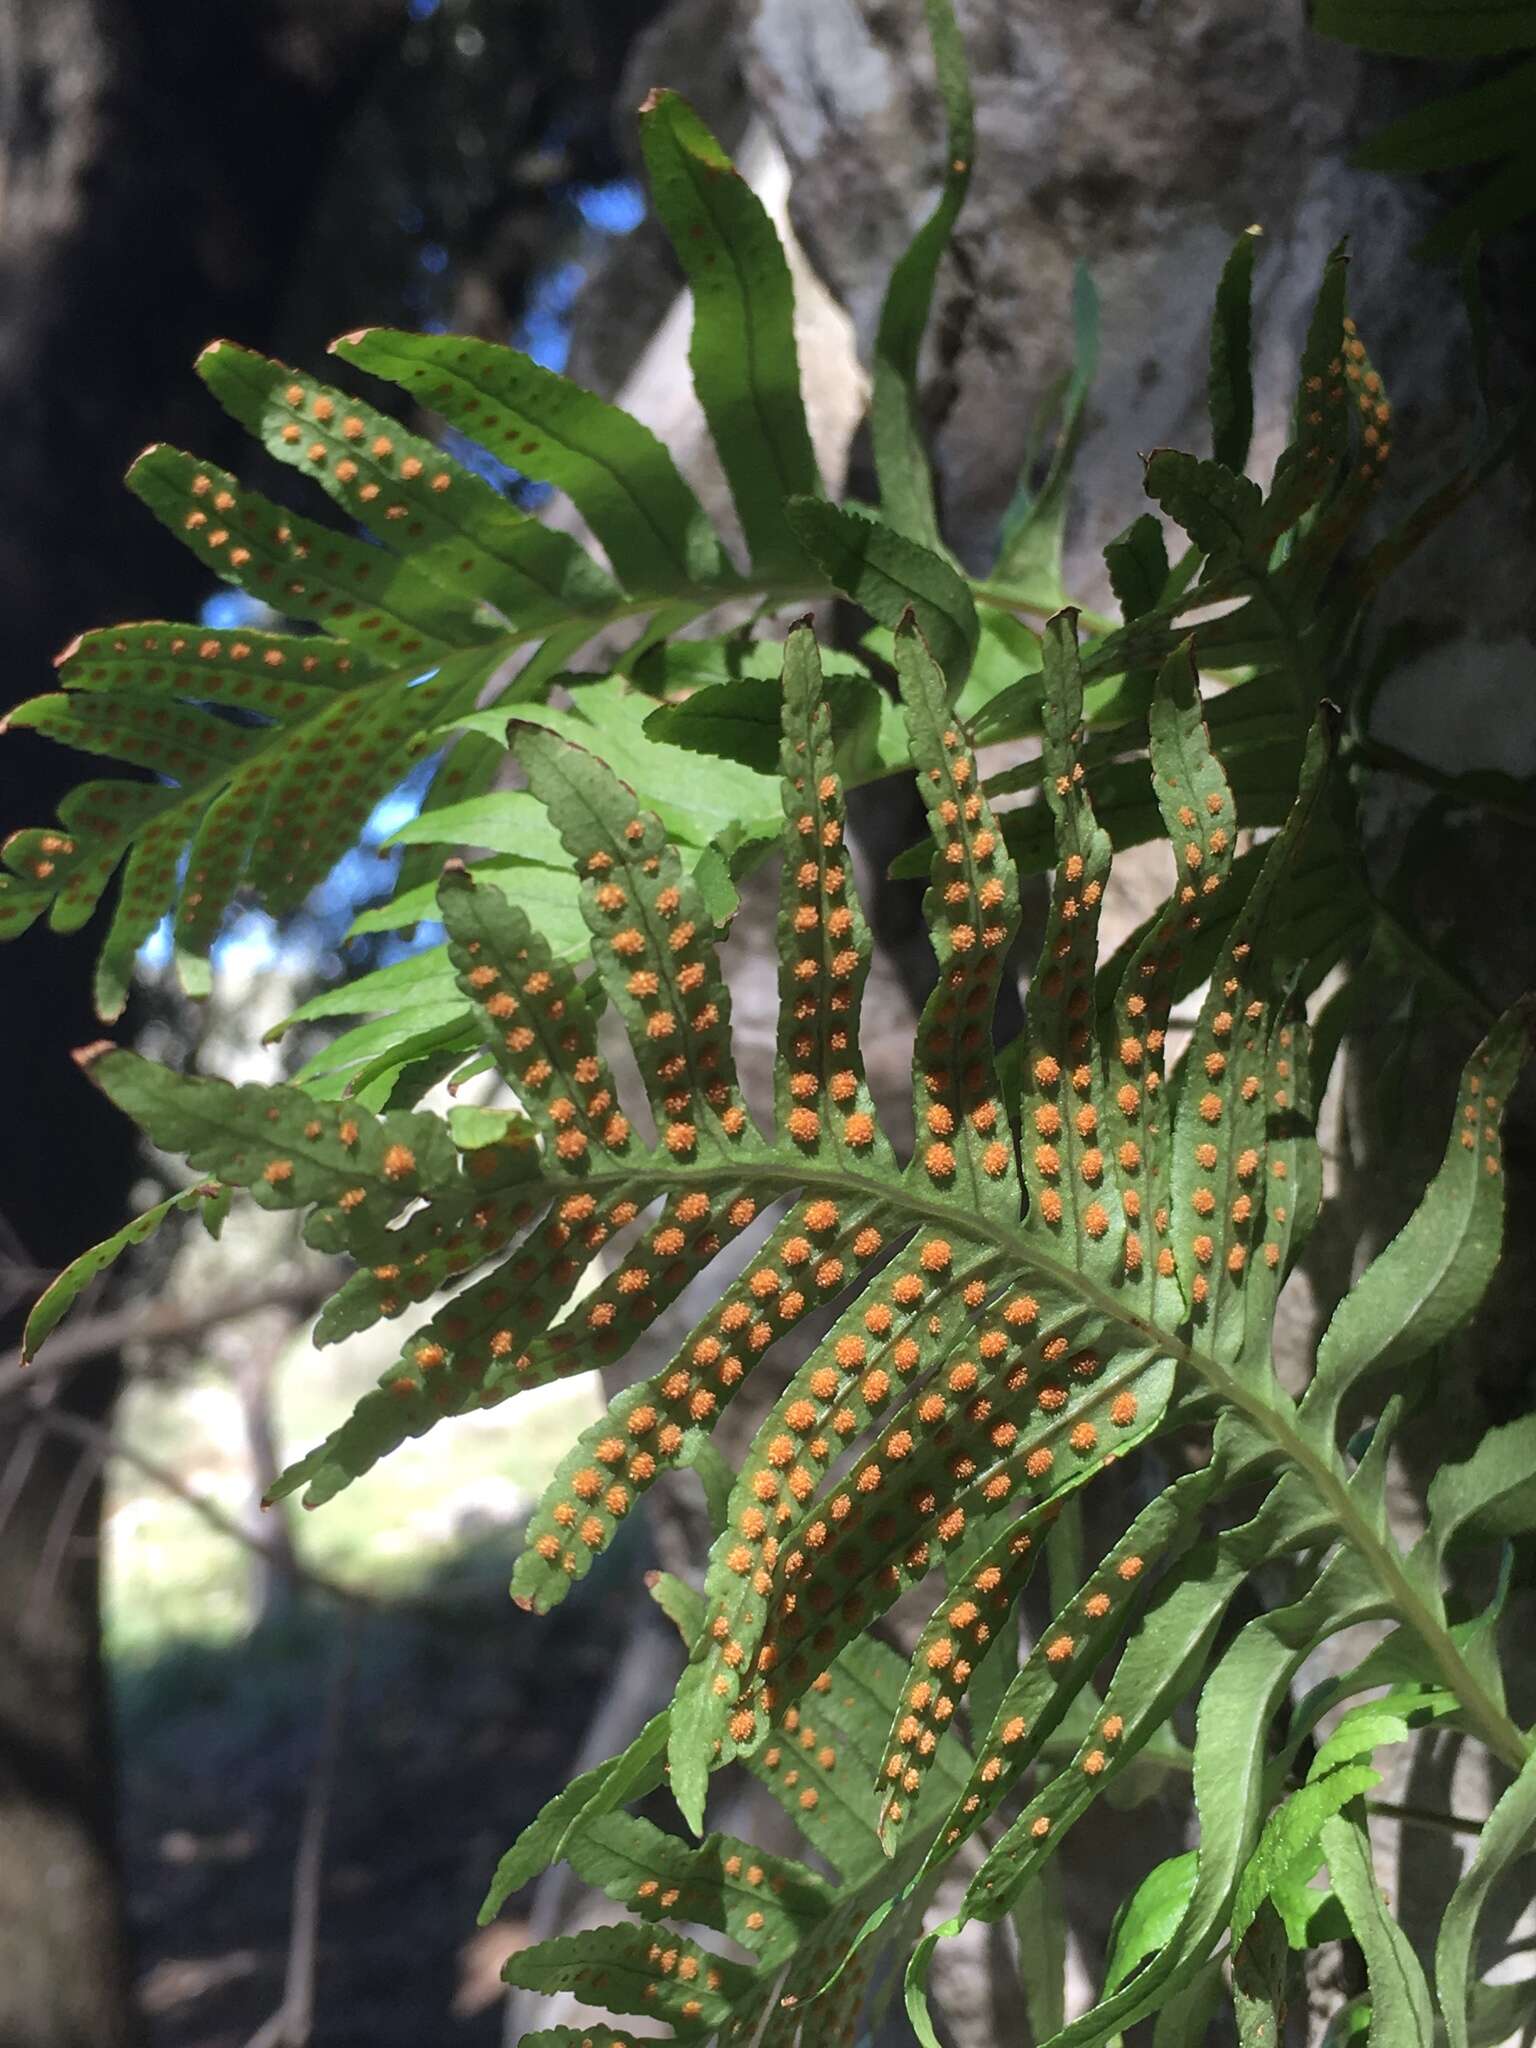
{"x": 157, "y": 171}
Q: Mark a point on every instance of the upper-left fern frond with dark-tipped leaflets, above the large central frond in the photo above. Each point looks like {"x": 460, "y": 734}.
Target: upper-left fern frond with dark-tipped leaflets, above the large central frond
{"x": 462, "y": 595}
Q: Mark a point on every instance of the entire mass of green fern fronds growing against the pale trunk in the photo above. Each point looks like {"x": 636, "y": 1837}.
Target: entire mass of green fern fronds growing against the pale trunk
{"x": 1078, "y": 1267}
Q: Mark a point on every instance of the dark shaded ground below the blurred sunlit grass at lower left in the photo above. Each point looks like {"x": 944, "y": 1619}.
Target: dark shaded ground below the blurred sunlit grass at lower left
{"x": 462, "y": 1717}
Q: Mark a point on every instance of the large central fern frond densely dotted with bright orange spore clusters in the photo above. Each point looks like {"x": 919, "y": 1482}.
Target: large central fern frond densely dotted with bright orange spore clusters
{"x": 1052, "y": 1271}
